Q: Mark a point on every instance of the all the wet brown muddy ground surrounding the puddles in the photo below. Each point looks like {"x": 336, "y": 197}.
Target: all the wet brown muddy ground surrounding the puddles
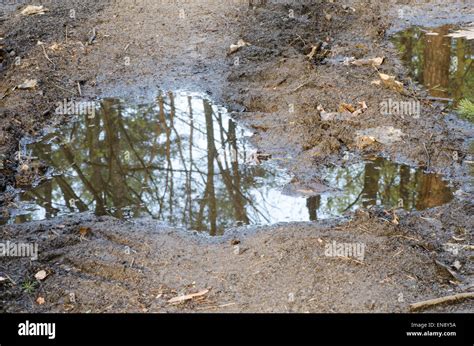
{"x": 137, "y": 266}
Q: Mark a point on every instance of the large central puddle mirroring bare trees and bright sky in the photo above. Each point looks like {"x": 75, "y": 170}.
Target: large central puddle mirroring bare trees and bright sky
{"x": 184, "y": 161}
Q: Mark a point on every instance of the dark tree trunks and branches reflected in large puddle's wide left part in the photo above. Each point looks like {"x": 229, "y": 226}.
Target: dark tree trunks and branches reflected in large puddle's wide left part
{"x": 178, "y": 164}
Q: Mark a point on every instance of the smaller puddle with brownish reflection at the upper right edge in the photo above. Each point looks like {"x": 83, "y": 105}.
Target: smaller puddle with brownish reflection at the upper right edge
{"x": 441, "y": 63}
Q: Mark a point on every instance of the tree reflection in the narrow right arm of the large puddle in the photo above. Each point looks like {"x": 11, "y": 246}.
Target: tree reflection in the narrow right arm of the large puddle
{"x": 384, "y": 183}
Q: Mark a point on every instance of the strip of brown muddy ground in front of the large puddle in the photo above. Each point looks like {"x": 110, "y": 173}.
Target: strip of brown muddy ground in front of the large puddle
{"x": 139, "y": 267}
